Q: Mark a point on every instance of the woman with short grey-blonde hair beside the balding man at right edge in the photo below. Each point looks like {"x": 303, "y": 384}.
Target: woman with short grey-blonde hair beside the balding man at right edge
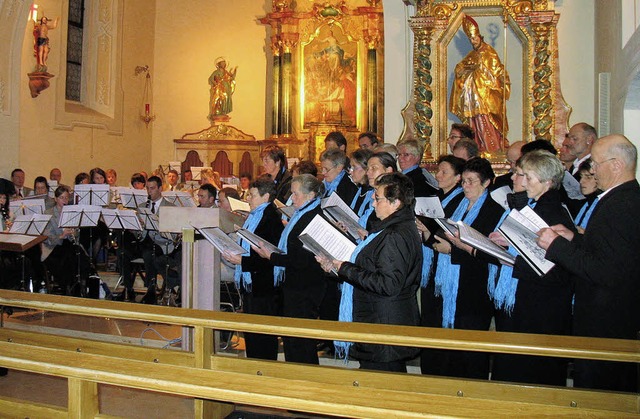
{"x": 527, "y": 302}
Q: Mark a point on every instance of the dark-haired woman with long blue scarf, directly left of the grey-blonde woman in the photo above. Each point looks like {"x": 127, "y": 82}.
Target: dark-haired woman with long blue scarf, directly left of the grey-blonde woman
{"x": 459, "y": 283}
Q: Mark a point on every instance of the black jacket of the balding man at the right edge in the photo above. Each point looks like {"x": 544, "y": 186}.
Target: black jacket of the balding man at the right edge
{"x": 604, "y": 264}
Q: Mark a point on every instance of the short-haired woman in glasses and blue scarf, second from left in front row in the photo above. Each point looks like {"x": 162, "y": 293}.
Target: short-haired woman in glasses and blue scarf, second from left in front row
{"x": 302, "y": 280}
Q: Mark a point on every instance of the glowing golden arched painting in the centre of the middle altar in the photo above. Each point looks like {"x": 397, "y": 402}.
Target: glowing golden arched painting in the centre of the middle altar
{"x": 330, "y": 78}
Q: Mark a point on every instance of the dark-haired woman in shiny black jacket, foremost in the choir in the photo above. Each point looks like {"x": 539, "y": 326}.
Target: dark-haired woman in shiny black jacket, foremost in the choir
{"x": 383, "y": 276}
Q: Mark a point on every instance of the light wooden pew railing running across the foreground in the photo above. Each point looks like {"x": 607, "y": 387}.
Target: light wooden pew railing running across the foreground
{"x": 218, "y": 382}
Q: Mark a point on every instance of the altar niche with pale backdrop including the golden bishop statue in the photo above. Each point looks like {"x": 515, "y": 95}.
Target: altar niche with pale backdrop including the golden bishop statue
{"x": 486, "y": 80}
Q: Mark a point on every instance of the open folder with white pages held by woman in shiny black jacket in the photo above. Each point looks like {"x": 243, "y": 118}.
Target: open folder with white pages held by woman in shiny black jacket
{"x": 321, "y": 238}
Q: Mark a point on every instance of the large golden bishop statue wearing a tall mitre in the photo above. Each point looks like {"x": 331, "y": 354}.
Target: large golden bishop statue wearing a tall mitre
{"x": 480, "y": 89}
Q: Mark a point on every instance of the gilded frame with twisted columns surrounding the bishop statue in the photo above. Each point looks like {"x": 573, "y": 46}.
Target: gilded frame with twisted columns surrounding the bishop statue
{"x": 532, "y": 23}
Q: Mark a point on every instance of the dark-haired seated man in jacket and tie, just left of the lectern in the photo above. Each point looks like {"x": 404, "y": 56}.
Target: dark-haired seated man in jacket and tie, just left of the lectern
{"x": 159, "y": 252}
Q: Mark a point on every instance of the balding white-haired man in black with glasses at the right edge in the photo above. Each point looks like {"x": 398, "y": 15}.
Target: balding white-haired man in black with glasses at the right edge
{"x": 602, "y": 260}
